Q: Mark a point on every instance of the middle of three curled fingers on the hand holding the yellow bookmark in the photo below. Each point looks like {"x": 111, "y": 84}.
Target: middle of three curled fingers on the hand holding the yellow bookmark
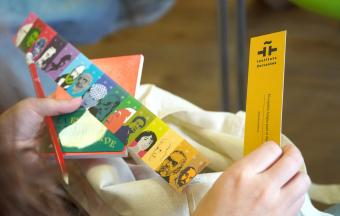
{"x": 286, "y": 167}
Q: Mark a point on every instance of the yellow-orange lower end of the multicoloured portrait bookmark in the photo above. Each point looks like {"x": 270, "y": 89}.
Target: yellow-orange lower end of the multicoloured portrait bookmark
{"x": 175, "y": 160}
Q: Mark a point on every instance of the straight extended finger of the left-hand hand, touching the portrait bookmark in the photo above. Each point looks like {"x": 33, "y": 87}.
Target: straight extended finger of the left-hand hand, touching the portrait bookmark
{"x": 51, "y": 107}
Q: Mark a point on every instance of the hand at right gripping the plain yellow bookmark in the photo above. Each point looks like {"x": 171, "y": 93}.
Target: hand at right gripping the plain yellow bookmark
{"x": 266, "y": 182}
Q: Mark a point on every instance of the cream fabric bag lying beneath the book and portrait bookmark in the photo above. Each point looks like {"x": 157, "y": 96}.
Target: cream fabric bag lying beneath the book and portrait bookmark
{"x": 117, "y": 187}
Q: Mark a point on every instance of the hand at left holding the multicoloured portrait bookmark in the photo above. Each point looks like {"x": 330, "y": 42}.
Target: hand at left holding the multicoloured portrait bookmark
{"x": 23, "y": 124}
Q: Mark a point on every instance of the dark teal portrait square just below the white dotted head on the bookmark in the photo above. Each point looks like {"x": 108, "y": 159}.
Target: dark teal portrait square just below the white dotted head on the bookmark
{"x": 105, "y": 106}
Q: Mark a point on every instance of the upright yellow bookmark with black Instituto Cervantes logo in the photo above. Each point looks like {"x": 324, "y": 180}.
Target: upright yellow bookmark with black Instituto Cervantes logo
{"x": 265, "y": 90}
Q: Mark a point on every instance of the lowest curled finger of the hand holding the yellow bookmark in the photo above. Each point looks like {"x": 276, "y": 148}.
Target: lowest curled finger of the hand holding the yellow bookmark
{"x": 296, "y": 188}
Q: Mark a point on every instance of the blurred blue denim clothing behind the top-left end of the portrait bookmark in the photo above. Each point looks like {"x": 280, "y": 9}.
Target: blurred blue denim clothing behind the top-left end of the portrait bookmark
{"x": 78, "y": 21}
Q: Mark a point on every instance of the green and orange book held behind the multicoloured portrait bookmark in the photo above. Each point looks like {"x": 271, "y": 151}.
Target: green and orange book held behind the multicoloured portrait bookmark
{"x": 97, "y": 141}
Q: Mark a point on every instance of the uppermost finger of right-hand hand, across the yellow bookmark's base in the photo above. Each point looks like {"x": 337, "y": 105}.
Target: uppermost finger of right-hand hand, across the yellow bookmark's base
{"x": 262, "y": 158}
